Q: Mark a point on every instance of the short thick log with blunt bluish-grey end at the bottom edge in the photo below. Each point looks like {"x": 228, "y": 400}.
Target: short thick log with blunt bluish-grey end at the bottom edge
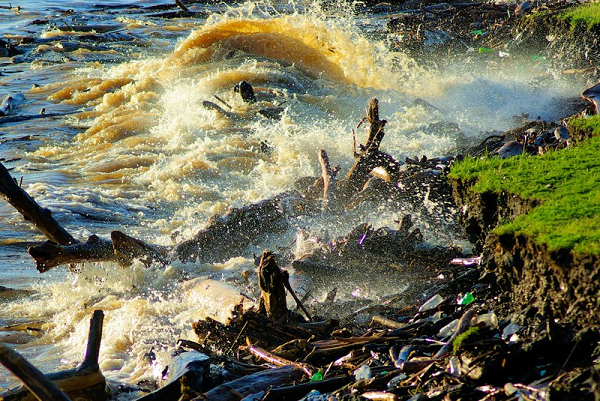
{"x": 185, "y": 376}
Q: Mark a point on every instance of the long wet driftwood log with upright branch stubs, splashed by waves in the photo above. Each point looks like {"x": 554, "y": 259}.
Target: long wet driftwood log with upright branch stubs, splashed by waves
{"x": 225, "y": 236}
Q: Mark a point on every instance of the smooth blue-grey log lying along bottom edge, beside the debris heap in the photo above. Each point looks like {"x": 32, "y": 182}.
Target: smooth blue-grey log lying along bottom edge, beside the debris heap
{"x": 253, "y": 384}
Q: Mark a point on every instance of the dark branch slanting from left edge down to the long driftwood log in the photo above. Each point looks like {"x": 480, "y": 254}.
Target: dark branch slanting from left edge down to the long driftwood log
{"x": 31, "y": 211}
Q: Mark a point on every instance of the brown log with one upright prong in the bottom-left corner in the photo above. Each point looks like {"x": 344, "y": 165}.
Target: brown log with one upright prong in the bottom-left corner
{"x": 85, "y": 382}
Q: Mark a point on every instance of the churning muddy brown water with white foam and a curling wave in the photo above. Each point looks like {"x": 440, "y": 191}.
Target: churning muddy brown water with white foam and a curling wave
{"x": 137, "y": 151}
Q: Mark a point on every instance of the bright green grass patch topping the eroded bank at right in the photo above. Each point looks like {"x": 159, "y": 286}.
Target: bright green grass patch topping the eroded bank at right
{"x": 566, "y": 182}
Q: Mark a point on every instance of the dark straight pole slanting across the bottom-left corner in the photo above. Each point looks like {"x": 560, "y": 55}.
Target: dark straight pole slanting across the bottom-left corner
{"x": 39, "y": 385}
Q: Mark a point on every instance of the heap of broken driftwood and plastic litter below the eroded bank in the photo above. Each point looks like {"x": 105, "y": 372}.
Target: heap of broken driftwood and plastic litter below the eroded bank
{"x": 447, "y": 349}
